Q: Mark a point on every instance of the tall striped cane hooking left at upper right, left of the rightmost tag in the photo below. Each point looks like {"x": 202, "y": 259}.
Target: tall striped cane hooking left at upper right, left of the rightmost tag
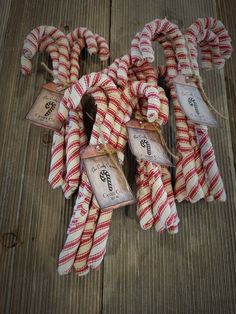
{"x": 159, "y": 29}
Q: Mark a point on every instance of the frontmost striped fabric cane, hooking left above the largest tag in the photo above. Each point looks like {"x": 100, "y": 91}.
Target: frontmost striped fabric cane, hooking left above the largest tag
{"x": 72, "y": 100}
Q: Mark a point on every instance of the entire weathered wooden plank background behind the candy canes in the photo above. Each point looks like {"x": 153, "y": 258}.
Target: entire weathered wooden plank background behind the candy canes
{"x": 143, "y": 272}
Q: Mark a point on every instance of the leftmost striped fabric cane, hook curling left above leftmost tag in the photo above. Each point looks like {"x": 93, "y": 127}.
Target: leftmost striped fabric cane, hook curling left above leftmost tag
{"x": 54, "y": 42}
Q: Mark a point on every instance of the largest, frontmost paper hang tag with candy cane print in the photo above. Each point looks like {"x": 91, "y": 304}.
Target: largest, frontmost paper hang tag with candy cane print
{"x": 109, "y": 183}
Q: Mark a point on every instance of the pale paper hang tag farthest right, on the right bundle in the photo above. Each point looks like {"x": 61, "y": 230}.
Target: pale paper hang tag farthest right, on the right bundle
{"x": 192, "y": 103}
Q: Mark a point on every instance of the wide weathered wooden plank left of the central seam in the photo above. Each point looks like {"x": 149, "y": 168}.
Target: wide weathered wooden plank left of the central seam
{"x": 38, "y": 215}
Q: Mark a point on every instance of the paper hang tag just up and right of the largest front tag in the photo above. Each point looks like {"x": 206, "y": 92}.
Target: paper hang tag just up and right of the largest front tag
{"x": 145, "y": 143}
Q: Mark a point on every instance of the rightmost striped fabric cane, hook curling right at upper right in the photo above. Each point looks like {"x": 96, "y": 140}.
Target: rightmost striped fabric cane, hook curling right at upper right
{"x": 221, "y": 50}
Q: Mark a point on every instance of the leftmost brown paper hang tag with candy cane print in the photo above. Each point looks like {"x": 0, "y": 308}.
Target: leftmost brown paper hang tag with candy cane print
{"x": 45, "y": 108}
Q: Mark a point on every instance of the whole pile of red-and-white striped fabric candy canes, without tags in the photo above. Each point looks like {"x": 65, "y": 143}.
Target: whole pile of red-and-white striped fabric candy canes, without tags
{"x": 128, "y": 89}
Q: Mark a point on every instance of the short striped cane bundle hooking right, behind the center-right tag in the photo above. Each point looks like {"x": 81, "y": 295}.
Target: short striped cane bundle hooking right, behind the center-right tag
{"x": 153, "y": 206}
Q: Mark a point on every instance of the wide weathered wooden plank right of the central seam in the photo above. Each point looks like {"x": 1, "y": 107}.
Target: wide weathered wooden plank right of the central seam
{"x": 194, "y": 271}
